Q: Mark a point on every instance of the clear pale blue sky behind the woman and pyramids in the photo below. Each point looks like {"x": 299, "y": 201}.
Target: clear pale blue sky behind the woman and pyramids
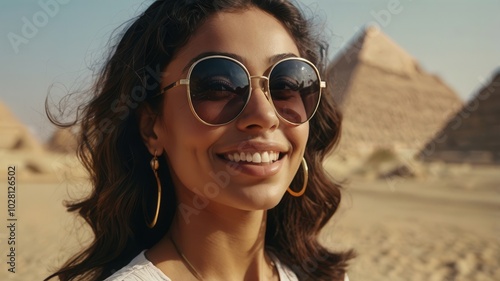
{"x": 56, "y": 42}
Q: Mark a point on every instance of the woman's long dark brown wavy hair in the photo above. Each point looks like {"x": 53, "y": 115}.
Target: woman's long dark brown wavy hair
{"x": 112, "y": 151}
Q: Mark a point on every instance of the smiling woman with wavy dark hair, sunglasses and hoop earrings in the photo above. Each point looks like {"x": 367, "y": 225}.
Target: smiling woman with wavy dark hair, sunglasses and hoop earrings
{"x": 198, "y": 140}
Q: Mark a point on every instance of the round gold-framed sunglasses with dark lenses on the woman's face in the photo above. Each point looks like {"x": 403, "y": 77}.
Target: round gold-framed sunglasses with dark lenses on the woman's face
{"x": 219, "y": 89}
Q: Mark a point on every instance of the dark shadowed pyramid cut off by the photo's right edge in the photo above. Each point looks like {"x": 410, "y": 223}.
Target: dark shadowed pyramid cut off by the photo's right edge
{"x": 473, "y": 134}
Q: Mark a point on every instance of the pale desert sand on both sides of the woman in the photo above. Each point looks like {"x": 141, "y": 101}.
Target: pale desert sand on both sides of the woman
{"x": 444, "y": 226}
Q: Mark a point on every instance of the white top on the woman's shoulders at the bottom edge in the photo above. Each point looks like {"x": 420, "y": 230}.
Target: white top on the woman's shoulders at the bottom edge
{"x": 141, "y": 269}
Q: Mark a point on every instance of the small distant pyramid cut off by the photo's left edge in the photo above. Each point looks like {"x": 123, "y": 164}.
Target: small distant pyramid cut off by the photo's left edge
{"x": 15, "y": 135}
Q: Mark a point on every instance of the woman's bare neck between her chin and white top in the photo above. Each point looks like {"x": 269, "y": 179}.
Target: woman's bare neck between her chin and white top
{"x": 227, "y": 244}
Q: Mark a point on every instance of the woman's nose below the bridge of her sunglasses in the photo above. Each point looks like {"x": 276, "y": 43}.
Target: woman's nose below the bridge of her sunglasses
{"x": 259, "y": 114}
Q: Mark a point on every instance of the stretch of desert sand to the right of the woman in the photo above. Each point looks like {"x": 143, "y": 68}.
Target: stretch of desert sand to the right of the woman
{"x": 436, "y": 229}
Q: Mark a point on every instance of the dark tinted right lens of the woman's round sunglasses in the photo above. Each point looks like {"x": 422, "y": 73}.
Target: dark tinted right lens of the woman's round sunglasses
{"x": 295, "y": 90}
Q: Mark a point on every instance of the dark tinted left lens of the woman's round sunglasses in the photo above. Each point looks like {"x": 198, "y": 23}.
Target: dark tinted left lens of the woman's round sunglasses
{"x": 219, "y": 90}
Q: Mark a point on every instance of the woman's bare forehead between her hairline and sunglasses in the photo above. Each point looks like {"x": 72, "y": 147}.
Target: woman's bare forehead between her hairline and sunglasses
{"x": 252, "y": 34}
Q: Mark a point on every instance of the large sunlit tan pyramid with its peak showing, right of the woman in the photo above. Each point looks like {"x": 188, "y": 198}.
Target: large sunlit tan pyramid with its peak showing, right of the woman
{"x": 387, "y": 100}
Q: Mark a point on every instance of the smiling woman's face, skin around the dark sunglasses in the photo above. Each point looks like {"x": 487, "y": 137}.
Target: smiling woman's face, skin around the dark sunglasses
{"x": 201, "y": 157}
